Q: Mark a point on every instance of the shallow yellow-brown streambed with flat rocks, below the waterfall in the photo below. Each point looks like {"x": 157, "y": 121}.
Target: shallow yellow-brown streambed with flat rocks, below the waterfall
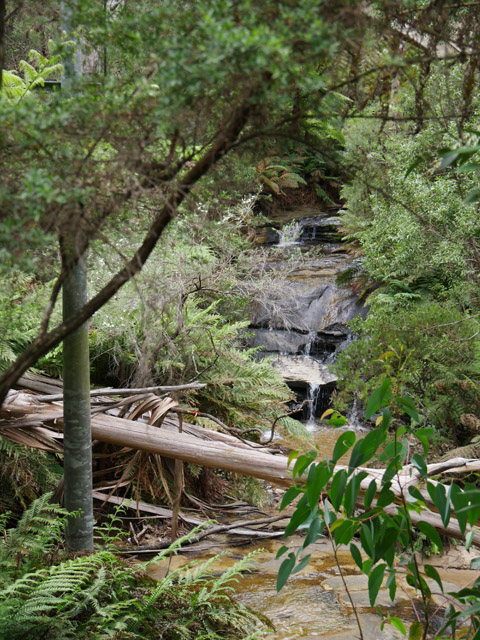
{"x": 314, "y": 603}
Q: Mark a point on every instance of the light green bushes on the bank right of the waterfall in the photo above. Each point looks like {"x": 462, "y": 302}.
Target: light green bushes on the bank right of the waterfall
{"x": 414, "y": 215}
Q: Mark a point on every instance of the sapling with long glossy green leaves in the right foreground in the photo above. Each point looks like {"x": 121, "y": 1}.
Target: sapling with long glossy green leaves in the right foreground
{"x": 379, "y": 517}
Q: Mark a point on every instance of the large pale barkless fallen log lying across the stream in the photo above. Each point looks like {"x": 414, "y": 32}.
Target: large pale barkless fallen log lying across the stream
{"x": 197, "y": 446}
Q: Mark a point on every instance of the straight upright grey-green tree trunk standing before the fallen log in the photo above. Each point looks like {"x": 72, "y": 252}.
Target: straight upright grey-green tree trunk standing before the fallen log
{"x": 77, "y": 458}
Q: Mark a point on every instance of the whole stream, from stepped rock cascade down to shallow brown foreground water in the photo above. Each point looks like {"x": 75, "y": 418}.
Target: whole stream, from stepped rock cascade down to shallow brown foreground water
{"x": 302, "y": 331}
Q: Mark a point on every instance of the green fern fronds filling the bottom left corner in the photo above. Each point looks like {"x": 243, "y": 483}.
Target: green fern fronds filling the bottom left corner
{"x": 48, "y": 593}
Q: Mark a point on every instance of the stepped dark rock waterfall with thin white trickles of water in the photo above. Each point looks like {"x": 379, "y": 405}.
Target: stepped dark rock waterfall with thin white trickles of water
{"x": 306, "y": 328}
